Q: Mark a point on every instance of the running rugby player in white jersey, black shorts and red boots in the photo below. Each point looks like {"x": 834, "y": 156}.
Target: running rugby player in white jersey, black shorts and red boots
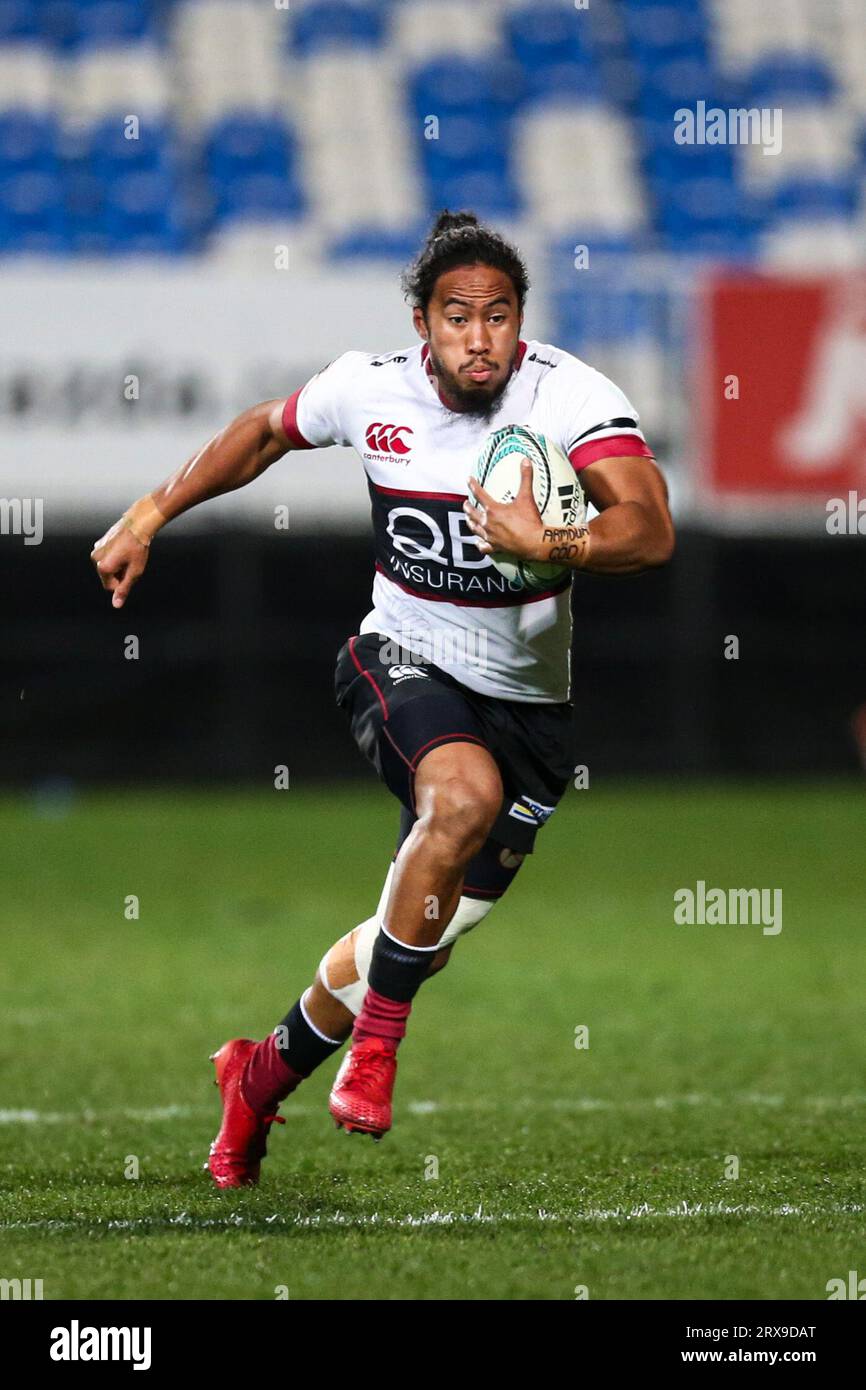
{"x": 458, "y": 683}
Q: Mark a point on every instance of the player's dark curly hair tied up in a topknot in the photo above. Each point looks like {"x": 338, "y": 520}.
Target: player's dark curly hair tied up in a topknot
{"x": 461, "y": 240}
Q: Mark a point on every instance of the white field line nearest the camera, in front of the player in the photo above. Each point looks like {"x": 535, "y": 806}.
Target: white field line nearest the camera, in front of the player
{"x": 379, "y": 1221}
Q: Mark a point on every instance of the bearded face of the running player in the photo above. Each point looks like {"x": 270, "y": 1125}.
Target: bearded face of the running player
{"x": 473, "y": 329}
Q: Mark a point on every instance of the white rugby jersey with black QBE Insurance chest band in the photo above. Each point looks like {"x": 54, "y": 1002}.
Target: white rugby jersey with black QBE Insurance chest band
{"x": 433, "y": 591}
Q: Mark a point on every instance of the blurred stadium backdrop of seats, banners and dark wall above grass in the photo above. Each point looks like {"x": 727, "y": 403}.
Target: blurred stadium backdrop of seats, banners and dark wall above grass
{"x": 205, "y": 201}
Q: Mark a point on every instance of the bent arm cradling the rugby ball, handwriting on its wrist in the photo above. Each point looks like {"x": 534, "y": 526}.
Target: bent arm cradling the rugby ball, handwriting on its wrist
{"x": 633, "y": 532}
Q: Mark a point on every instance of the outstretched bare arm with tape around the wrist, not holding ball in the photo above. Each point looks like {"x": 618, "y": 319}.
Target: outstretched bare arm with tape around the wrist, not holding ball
{"x": 236, "y": 457}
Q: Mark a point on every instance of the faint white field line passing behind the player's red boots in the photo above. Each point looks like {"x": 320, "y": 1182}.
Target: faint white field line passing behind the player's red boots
{"x": 585, "y": 1104}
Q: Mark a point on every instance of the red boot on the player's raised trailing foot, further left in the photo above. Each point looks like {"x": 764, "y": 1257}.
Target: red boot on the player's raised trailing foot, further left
{"x": 237, "y": 1153}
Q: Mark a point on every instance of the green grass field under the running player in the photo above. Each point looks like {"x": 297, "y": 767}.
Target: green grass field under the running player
{"x": 557, "y": 1167}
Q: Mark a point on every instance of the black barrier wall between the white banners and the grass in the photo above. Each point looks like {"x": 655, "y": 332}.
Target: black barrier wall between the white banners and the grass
{"x": 238, "y": 636}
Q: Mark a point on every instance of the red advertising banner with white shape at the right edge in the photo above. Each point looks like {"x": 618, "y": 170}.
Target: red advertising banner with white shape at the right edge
{"x": 782, "y": 391}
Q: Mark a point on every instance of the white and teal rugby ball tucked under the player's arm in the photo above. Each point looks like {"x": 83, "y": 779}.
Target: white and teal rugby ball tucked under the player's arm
{"x": 555, "y": 487}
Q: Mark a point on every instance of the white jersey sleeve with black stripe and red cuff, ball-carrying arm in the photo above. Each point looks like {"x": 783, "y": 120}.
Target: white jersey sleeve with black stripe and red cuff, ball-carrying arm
{"x": 597, "y": 420}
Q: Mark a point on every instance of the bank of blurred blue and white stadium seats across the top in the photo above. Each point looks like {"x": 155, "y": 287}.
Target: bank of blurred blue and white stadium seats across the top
{"x": 322, "y": 115}
